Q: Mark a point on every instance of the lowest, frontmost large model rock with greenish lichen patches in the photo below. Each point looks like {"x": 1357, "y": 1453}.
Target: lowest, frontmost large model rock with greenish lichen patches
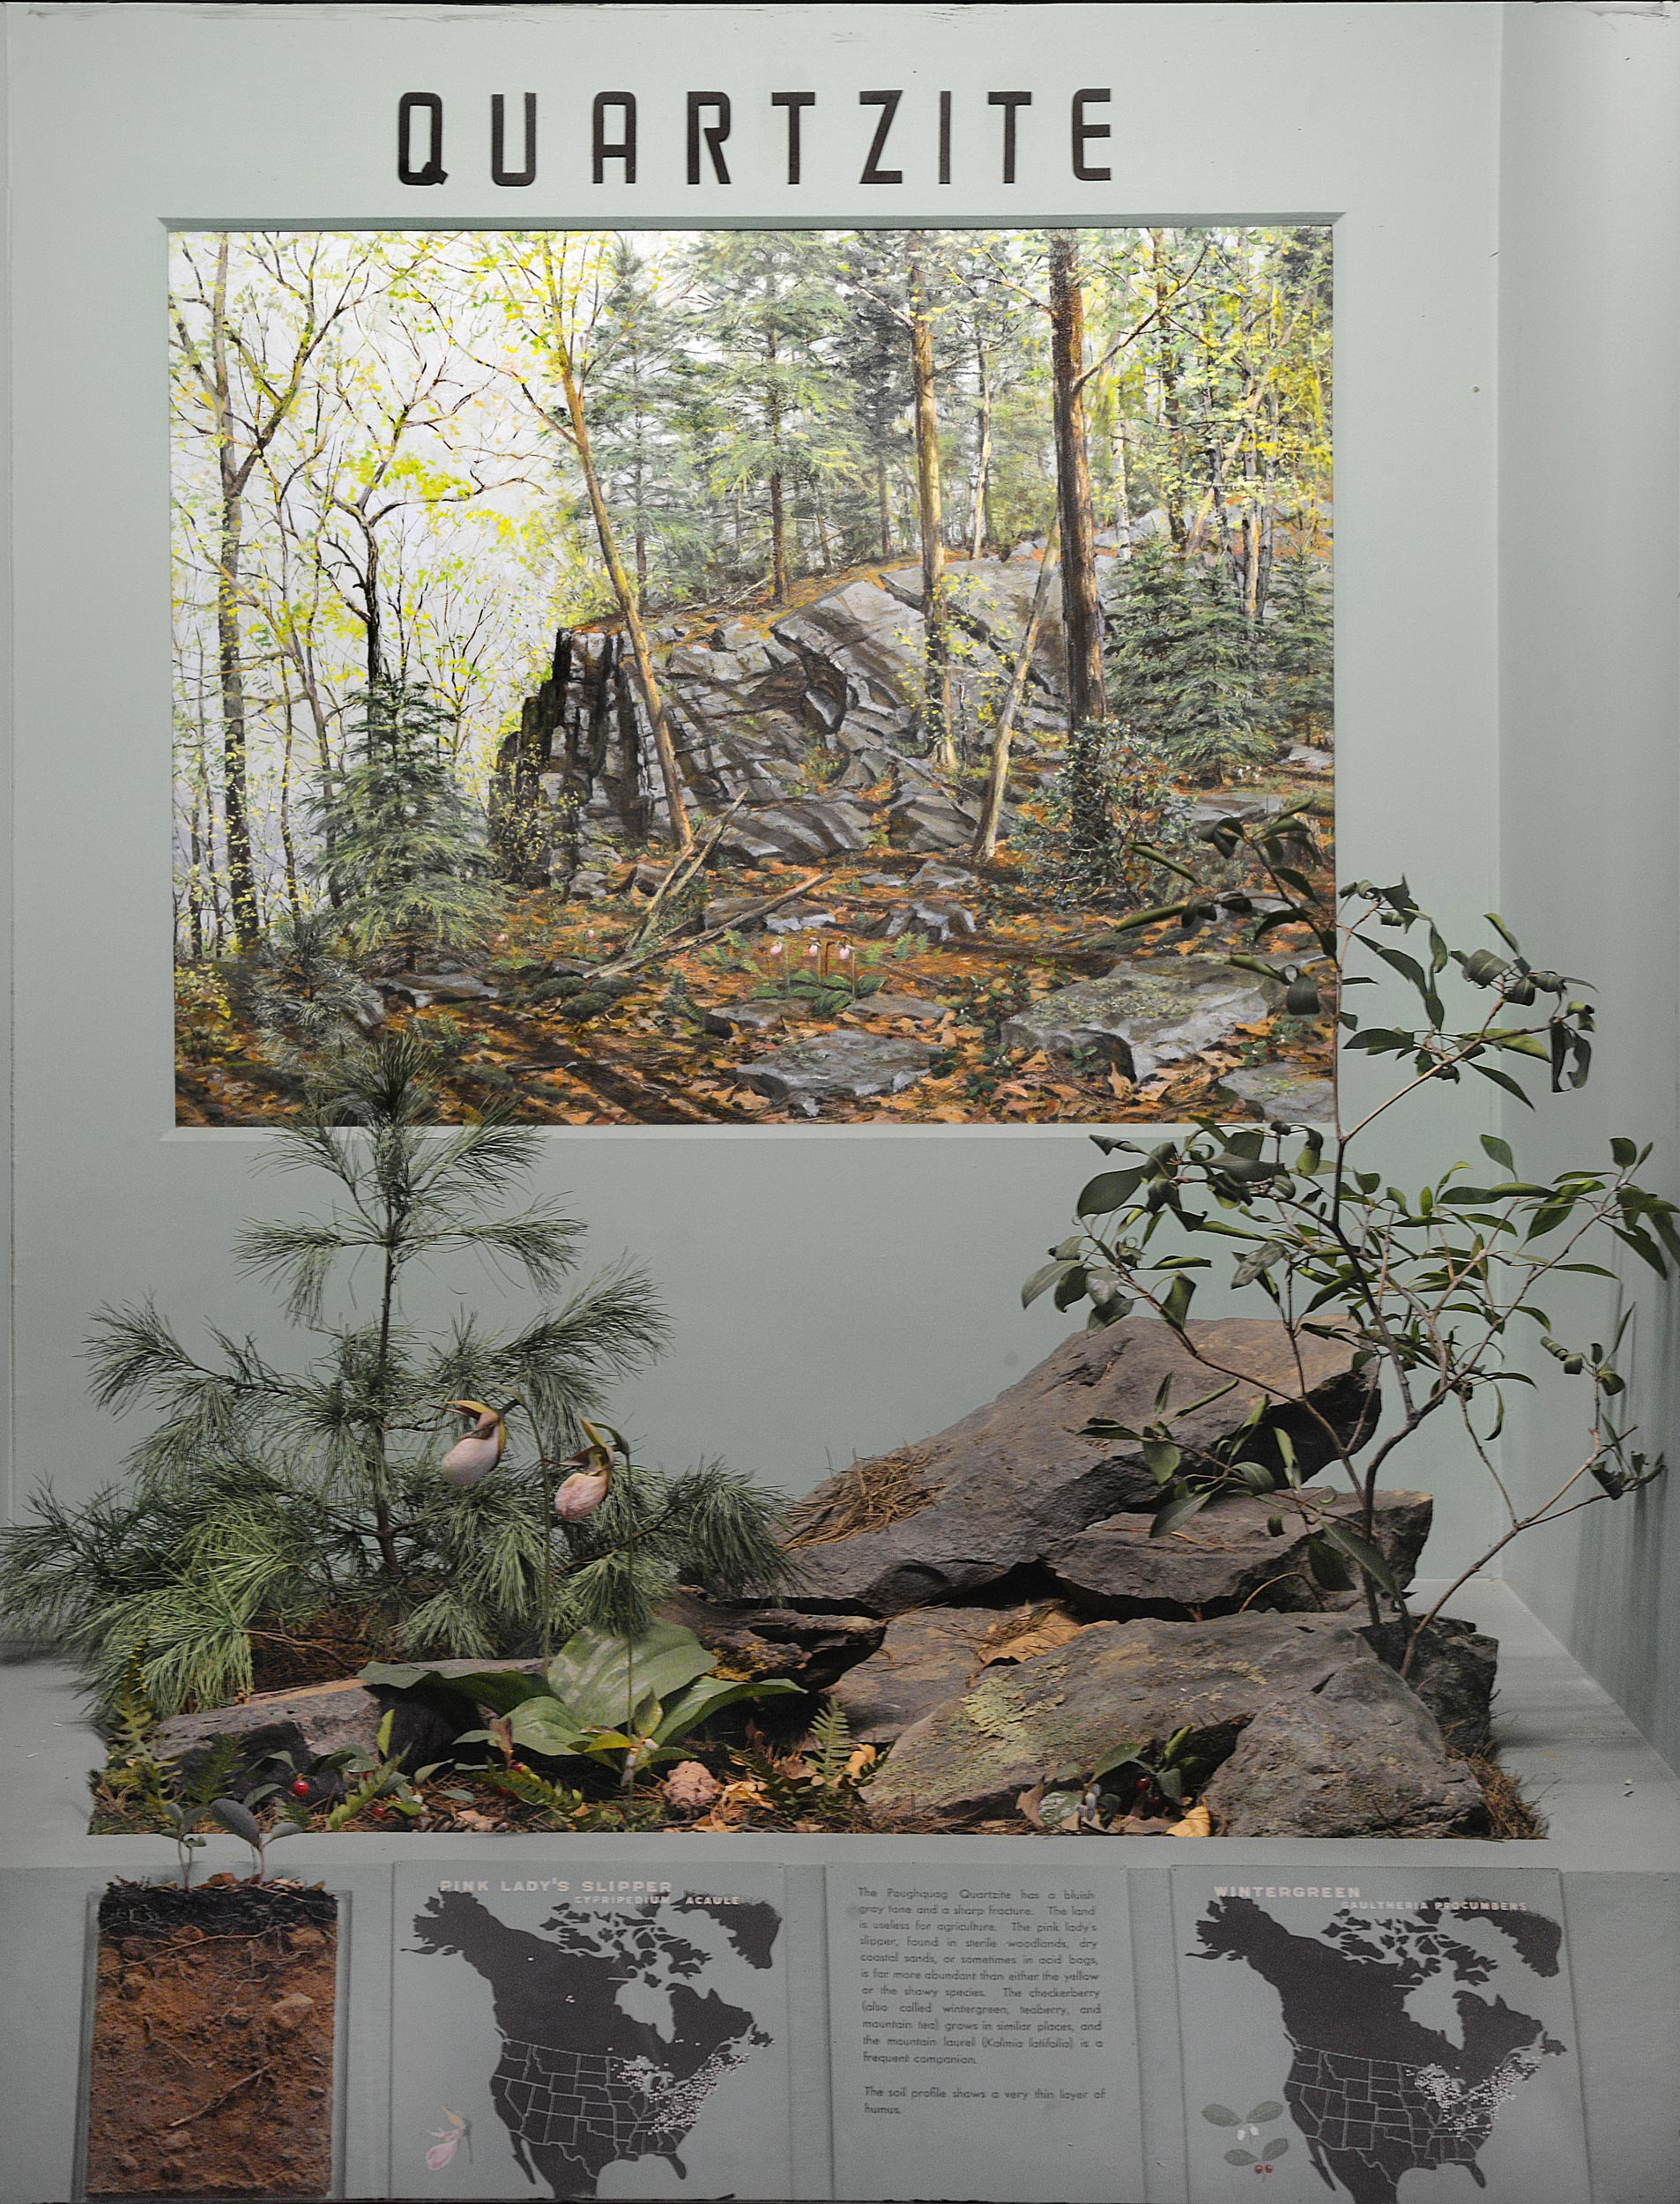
{"x": 1309, "y": 1727}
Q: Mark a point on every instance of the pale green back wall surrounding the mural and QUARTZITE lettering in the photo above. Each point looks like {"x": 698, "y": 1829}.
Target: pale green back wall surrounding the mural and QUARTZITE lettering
{"x": 834, "y": 1290}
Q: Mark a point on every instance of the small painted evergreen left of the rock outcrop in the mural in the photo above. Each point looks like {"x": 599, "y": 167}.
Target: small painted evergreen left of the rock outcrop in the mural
{"x": 402, "y": 854}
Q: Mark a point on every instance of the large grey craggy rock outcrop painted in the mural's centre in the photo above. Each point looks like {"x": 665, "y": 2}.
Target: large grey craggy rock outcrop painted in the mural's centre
{"x": 751, "y": 700}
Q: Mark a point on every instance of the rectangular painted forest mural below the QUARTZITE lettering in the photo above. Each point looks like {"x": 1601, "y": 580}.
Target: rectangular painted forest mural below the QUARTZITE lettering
{"x": 753, "y": 676}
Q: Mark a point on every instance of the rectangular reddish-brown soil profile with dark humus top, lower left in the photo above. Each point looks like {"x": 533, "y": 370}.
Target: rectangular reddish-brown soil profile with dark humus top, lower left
{"x": 213, "y": 2044}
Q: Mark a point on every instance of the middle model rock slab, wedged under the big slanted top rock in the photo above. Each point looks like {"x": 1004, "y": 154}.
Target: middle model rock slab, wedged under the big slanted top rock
{"x": 1223, "y": 1559}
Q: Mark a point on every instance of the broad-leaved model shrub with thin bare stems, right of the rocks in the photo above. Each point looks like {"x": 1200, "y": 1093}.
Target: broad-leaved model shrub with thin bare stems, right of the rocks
{"x": 1436, "y": 1290}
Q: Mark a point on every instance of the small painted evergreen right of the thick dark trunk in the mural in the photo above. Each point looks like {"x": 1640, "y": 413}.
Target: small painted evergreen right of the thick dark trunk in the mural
{"x": 1185, "y": 667}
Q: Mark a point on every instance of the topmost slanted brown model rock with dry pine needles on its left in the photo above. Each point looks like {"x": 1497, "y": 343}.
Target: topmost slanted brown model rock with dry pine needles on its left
{"x": 1013, "y": 1482}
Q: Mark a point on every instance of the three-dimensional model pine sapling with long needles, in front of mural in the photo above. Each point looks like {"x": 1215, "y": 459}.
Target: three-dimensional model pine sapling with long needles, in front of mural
{"x": 272, "y": 1498}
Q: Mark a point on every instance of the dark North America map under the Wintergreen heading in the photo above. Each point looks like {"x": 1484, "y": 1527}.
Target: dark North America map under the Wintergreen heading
{"x": 1375, "y": 2090}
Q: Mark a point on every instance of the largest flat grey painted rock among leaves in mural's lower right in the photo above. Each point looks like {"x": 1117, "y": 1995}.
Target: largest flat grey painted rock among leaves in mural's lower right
{"x": 1148, "y": 1013}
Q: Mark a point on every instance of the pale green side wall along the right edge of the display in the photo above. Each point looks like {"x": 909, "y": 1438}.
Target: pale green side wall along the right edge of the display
{"x": 1591, "y": 711}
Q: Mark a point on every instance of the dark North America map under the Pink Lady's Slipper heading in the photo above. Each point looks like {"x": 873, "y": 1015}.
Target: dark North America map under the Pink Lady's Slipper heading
{"x": 581, "y": 2082}
